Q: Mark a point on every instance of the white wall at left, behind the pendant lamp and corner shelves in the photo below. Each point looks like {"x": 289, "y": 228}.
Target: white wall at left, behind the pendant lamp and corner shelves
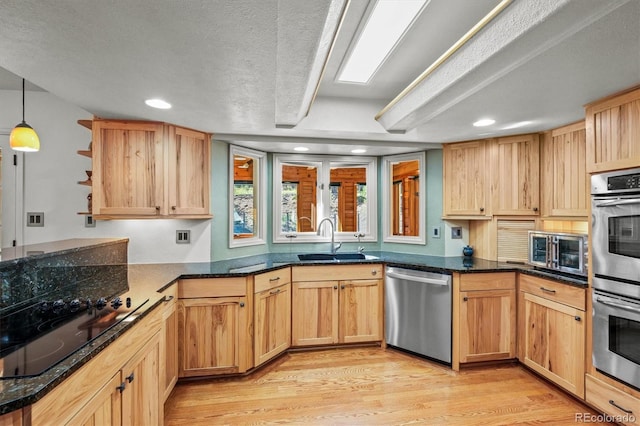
{"x": 50, "y": 186}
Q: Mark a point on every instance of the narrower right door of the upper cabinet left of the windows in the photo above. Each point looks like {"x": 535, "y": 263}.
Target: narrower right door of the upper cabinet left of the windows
{"x": 188, "y": 172}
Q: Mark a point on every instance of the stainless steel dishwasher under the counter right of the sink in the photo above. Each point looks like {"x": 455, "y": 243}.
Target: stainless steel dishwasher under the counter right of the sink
{"x": 418, "y": 312}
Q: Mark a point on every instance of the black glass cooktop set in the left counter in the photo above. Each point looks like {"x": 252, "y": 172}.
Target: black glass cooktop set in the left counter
{"x": 37, "y": 338}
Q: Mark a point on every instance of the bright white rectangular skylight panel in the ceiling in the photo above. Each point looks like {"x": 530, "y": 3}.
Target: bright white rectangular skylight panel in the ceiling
{"x": 387, "y": 23}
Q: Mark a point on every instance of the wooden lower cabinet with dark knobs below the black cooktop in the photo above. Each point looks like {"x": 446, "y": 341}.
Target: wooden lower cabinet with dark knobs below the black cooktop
{"x": 126, "y": 376}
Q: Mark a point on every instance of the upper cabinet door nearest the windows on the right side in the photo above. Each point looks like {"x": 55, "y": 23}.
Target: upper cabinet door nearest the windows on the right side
{"x": 466, "y": 179}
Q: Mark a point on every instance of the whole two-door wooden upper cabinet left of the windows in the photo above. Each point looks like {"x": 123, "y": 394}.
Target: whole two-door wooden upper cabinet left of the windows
{"x": 149, "y": 170}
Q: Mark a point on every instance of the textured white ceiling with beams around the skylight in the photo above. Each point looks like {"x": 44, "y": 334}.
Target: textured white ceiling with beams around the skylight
{"x": 238, "y": 68}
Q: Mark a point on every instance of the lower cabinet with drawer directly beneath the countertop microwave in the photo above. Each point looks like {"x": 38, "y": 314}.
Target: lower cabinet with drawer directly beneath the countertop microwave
{"x": 552, "y": 331}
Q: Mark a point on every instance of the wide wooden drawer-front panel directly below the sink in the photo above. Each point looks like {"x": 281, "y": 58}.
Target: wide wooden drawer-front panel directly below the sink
{"x": 336, "y": 272}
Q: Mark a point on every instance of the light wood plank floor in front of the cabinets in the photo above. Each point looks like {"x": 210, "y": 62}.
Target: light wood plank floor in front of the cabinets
{"x": 366, "y": 386}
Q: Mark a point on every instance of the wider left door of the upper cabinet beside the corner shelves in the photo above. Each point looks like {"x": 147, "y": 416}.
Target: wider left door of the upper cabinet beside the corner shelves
{"x": 127, "y": 178}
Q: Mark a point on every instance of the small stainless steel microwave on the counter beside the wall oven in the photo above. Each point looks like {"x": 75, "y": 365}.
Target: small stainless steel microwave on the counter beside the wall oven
{"x": 559, "y": 251}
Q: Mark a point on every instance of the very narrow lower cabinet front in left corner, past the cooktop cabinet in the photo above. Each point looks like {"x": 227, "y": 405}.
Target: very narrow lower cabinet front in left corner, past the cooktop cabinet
{"x": 169, "y": 344}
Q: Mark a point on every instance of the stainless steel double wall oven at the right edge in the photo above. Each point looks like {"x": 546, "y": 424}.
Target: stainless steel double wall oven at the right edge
{"x": 615, "y": 208}
